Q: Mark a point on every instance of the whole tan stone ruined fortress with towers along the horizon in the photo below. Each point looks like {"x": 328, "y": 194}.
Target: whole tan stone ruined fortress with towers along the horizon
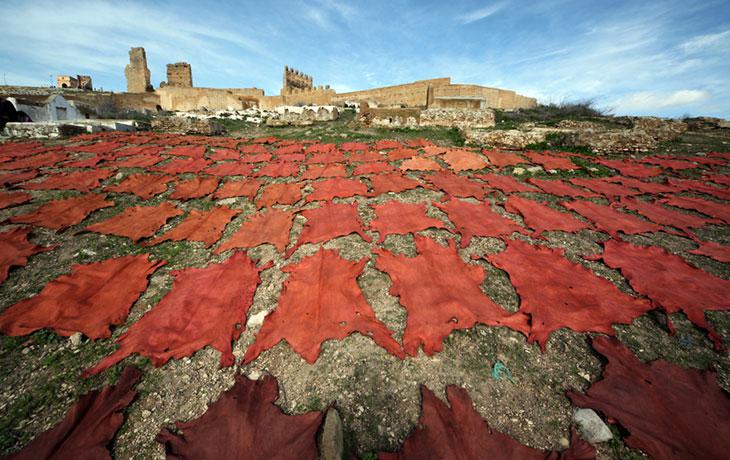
{"x": 179, "y": 94}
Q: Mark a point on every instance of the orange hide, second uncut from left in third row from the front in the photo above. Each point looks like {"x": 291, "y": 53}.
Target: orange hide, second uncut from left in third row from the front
{"x": 137, "y": 222}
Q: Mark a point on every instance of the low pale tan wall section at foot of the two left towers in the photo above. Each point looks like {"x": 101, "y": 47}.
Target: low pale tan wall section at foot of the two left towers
{"x": 188, "y": 99}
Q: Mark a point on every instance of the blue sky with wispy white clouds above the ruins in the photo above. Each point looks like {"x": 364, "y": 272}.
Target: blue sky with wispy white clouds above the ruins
{"x": 667, "y": 58}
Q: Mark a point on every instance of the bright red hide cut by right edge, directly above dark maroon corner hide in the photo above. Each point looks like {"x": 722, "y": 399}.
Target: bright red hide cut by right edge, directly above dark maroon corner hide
{"x": 670, "y": 282}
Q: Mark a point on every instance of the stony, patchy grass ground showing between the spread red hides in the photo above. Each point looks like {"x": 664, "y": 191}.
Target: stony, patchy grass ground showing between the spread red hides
{"x": 376, "y": 394}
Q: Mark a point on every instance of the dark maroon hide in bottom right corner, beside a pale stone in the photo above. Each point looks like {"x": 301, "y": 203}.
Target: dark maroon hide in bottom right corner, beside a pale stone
{"x": 670, "y": 411}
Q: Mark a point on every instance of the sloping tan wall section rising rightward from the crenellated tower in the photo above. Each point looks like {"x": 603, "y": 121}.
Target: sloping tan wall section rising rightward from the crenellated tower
{"x": 409, "y": 94}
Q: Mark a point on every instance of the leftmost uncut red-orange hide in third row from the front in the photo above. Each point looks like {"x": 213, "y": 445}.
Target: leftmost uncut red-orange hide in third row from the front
{"x": 60, "y": 214}
